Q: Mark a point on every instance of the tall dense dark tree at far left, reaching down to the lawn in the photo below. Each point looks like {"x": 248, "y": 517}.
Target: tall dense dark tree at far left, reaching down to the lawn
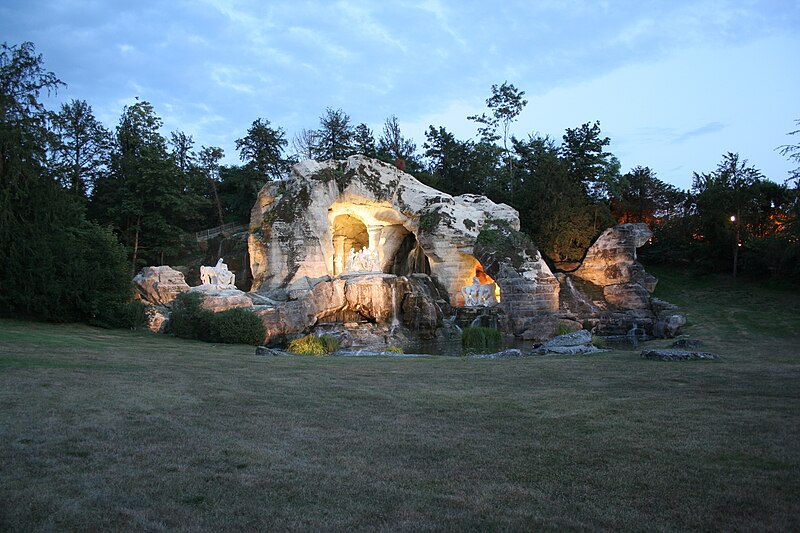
{"x": 54, "y": 264}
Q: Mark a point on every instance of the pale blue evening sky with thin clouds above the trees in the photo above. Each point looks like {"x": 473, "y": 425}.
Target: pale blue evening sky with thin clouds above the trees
{"x": 675, "y": 84}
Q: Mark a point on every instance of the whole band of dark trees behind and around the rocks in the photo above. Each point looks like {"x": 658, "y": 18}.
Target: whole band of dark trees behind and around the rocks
{"x": 84, "y": 206}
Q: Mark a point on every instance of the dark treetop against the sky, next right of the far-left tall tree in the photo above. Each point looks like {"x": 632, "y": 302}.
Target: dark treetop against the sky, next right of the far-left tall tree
{"x": 81, "y": 148}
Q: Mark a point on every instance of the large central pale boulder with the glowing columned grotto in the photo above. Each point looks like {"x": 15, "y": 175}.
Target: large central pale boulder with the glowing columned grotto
{"x": 423, "y": 246}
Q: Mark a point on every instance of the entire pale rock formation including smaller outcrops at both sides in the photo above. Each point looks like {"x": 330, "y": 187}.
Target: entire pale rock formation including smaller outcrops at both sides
{"x": 360, "y": 242}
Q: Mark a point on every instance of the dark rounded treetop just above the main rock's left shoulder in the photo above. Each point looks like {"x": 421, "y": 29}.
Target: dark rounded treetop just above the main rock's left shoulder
{"x": 262, "y": 150}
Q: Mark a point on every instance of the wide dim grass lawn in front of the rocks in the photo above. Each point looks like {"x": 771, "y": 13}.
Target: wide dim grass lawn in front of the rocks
{"x": 113, "y": 430}
